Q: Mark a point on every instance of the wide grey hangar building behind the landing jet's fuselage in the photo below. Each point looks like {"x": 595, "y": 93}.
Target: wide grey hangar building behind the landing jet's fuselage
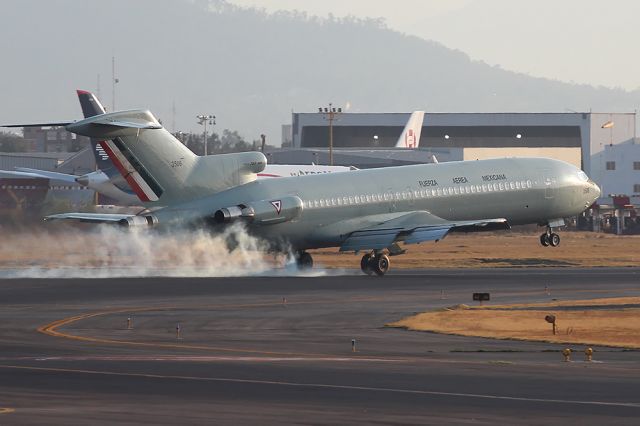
{"x": 604, "y": 145}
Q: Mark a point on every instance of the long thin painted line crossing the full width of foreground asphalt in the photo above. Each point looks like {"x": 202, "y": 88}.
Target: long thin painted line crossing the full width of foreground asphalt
{"x": 330, "y": 386}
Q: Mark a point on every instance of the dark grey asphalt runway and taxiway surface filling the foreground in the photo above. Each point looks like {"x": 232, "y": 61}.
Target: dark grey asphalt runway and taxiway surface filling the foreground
{"x": 278, "y": 350}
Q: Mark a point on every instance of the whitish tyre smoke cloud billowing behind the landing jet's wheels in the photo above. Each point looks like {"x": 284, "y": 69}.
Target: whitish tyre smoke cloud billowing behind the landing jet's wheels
{"x": 107, "y": 251}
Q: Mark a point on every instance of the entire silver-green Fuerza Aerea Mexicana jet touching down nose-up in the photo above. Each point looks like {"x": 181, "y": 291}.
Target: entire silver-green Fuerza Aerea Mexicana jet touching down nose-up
{"x": 370, "y": 211}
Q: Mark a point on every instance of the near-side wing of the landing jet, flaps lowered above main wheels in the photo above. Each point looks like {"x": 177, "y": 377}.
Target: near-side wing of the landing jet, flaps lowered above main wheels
{"x": 415, "y": 227}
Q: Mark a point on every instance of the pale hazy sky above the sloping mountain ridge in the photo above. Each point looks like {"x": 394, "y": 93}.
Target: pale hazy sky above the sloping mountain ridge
{"x": 581, "y": 41}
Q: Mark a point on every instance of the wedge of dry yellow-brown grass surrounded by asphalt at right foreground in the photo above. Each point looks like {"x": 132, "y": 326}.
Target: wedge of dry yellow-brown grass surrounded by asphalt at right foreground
{"x": 615, "y": 325}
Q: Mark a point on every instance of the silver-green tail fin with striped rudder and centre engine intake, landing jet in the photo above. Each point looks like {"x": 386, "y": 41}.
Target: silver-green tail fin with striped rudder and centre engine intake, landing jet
{"x": 157, "y": 166}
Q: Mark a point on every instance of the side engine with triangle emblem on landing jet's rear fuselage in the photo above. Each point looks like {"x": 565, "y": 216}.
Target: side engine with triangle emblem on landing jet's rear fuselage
{"x": 264, "y": 212}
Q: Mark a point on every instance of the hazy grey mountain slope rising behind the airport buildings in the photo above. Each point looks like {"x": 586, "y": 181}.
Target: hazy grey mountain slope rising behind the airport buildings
{"x": 249, "y": 68}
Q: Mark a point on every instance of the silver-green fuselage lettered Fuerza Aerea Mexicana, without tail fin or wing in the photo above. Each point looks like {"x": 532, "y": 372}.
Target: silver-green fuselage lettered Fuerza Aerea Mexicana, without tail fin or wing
{"x": 521, "y": 190}
